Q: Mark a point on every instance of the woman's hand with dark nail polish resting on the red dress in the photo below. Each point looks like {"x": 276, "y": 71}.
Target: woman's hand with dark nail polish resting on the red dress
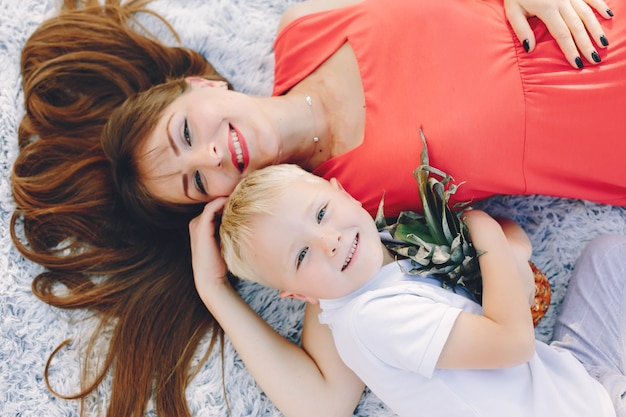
{"x": 572, "y": 23}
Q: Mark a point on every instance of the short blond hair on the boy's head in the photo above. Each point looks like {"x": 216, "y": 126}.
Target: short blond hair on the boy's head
{"x": 255, "y": 195}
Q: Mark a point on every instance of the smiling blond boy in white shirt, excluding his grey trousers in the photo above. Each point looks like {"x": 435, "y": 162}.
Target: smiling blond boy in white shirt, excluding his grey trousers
{"x": 421, "y": 348}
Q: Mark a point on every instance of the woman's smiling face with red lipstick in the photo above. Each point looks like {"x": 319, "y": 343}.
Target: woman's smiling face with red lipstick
{"x": 204, "y": 143}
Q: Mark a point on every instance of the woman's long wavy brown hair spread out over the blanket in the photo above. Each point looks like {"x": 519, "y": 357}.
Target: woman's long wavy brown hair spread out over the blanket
{"x": 78, "y": 67}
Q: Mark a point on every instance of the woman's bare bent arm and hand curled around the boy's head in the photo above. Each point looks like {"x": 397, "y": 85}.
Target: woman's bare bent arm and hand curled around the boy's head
{"x": 300, "y": 381}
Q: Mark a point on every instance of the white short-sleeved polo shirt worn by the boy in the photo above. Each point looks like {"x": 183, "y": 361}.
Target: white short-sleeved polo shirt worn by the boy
{"x": 391, "y": 333}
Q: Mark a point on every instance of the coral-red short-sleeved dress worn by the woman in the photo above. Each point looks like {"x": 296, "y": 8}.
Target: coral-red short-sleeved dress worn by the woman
{"x": 495, "y": 117}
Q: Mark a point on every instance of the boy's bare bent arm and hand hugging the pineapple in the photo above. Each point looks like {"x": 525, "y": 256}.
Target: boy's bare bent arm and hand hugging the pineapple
{"x": 504, "y": 335}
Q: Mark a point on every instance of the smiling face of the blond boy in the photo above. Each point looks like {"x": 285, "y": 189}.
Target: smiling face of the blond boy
{"x": 320, "y": 244}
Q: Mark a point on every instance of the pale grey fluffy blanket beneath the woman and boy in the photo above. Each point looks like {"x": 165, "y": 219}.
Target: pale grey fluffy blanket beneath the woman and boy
{"x": 236, "y": 35}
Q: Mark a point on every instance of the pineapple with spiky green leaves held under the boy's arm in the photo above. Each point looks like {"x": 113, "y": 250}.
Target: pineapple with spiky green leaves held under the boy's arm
{"x": 438, "y": 241}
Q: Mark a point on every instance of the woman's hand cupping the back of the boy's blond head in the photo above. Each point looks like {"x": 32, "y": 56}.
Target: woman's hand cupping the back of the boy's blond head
{"x": 208, "y": 266}
